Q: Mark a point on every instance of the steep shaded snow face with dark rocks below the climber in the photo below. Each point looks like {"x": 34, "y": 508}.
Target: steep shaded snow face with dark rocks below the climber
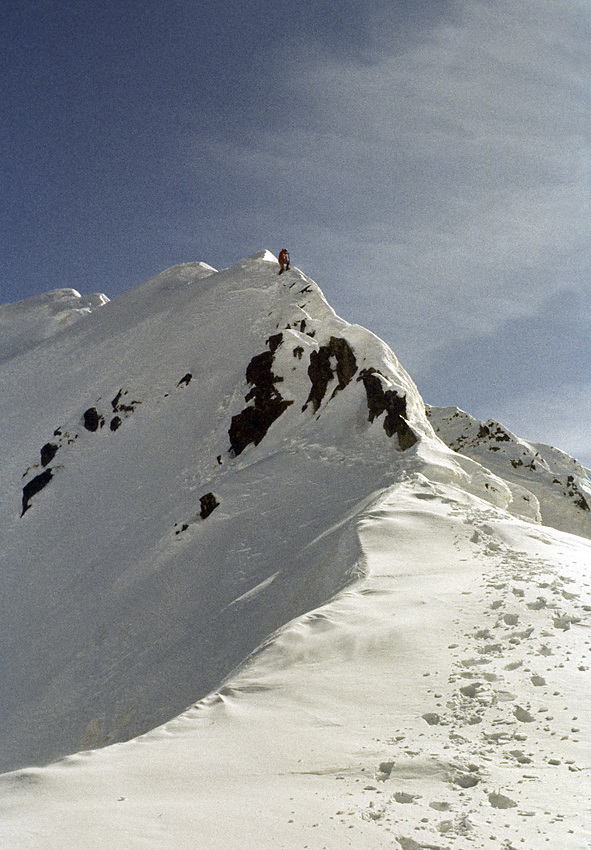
{"x": 182, "y": 474}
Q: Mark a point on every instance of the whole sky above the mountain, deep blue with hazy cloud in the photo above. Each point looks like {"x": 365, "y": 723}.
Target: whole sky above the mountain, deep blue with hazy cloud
{"x": 429, "y": 169}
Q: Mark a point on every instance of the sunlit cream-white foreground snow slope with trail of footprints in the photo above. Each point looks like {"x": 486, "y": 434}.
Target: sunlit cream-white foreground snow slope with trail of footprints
{"x": 441, "y": 702}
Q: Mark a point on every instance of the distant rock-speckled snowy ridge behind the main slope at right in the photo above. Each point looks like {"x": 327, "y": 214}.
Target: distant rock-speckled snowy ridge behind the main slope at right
{"x": 560, "y": 483}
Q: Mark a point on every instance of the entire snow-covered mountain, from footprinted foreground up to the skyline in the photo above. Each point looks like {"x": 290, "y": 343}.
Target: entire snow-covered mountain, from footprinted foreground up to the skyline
{"x": 250, "y": 599}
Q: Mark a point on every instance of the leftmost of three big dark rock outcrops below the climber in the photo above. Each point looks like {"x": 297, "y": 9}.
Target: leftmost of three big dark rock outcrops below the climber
{"x": 251, "y": 425}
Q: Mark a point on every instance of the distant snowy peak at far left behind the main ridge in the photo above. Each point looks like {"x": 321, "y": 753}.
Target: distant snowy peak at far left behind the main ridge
{"x": 29, "y": 322}
